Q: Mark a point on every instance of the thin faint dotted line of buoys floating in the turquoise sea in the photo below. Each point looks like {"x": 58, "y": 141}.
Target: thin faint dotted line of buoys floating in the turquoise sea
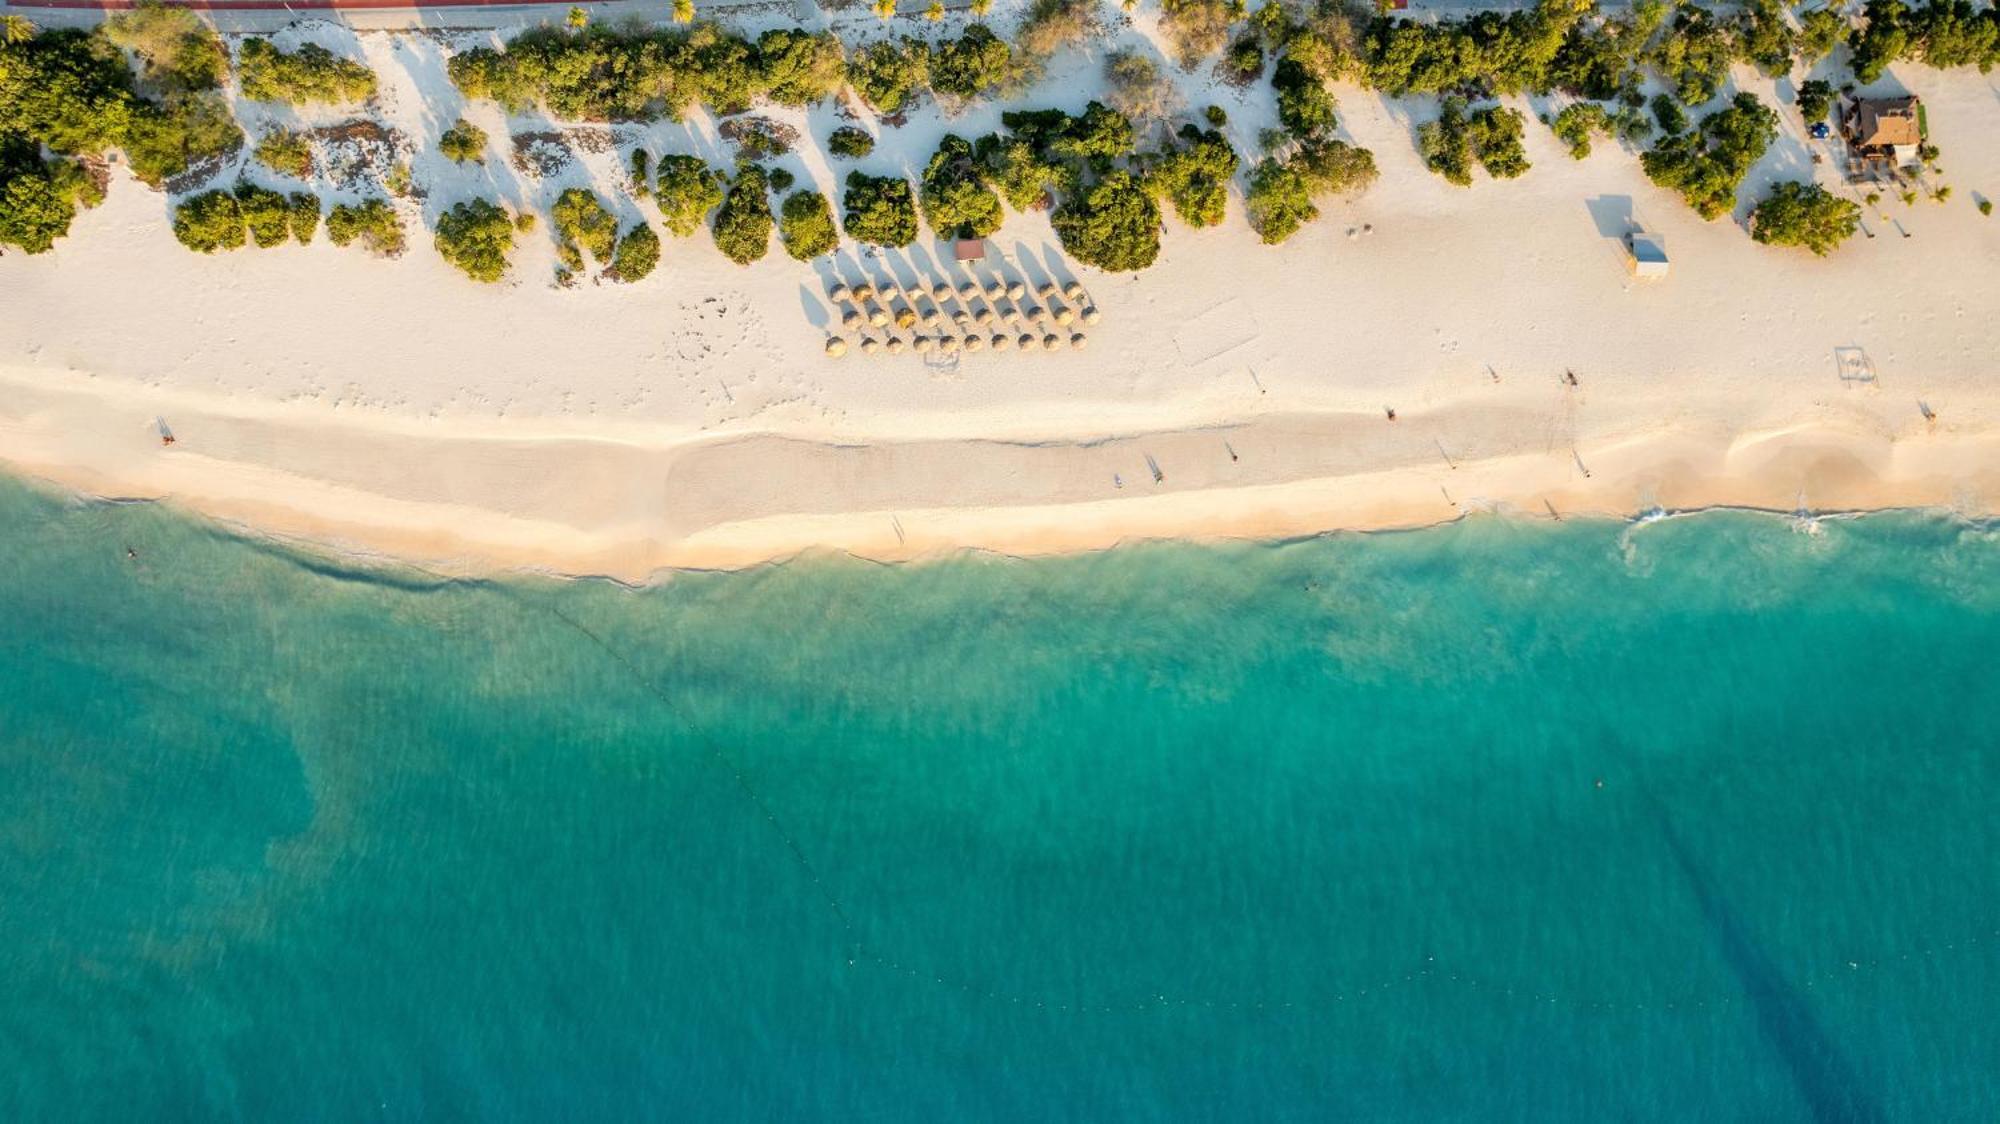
{"x": 1429, "y": 973}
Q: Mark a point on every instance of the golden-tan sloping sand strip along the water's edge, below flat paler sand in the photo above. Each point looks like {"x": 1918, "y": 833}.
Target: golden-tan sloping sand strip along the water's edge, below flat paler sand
{"x": 473, "y": 503}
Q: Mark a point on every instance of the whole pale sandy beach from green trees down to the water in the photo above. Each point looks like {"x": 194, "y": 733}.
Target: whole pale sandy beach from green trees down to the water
{"x": 691, "y": 419}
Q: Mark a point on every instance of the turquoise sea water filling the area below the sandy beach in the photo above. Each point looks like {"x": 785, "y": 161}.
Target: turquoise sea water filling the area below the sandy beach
{"x": 1687, "y": 821}
